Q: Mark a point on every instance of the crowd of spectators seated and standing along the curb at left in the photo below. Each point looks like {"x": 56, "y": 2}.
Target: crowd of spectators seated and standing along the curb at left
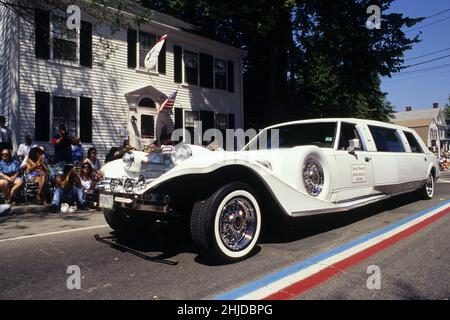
{"x": 61, "y": 179}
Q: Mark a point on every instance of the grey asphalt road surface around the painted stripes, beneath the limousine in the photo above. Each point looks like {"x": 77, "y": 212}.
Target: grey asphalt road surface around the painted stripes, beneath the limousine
{"x": 36, "y": 250}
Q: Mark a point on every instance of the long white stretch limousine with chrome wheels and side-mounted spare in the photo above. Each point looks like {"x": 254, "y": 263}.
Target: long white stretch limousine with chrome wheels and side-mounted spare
{"x": 298, "y": 168}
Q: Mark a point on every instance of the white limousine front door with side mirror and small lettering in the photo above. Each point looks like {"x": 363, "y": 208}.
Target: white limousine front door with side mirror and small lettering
{"x": 354, "y": 165}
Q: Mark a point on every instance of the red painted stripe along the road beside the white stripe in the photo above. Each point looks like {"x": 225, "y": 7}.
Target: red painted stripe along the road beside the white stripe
{"x": 312, "y": 281}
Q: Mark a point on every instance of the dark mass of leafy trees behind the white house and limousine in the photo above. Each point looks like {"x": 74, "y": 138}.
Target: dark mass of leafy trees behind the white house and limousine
{"x": 308, "y": 58}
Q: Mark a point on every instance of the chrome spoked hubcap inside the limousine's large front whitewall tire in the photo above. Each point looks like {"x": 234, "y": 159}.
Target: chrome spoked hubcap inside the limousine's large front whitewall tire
{"x": 237, "y": 224}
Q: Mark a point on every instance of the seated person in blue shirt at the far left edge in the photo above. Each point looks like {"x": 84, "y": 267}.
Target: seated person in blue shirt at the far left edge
{"x": 10, "y": 180}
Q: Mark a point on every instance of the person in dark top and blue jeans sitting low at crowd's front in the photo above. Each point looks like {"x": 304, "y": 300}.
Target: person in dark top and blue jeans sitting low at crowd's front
{"x": 68, "y": 190}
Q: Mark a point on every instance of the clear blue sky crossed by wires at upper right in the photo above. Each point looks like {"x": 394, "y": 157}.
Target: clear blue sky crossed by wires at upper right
{"x": 422, "y": 85}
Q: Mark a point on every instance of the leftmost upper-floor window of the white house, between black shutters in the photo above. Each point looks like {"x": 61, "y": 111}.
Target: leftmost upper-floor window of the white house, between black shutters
{"x": 65, "y": 41}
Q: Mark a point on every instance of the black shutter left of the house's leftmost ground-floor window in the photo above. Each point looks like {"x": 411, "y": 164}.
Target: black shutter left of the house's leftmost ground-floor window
{"x": 42, "y": 116}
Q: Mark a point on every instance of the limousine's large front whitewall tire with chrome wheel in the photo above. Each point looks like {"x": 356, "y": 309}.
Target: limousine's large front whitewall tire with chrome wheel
{"x": 226, "y": 226}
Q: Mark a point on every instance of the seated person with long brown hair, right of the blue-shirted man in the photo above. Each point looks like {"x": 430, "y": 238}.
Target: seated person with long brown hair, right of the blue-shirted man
{"x": 38, "y": 172}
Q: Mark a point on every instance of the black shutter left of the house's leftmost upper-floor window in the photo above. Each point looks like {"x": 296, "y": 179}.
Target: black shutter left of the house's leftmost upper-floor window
{"x": 42, "y": 34}
